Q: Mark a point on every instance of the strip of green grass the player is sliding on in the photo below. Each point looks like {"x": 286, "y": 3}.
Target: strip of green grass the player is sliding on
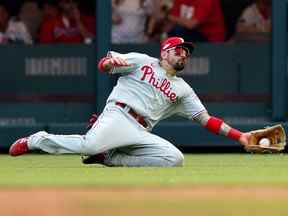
{"x": 199, "y": 169}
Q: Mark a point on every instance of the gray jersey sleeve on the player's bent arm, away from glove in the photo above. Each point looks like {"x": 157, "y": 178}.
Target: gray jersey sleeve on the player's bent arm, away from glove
{"x": 133, "y": 59}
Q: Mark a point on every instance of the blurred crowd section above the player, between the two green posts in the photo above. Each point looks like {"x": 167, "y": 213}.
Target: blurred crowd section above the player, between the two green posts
{"x": 139, "y": 21}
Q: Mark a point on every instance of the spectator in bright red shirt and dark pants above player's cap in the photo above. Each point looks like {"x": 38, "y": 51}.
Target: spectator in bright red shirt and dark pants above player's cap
{"x": 197, "y": 20}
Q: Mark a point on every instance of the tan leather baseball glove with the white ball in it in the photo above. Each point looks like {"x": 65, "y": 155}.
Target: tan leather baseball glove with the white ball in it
{"x": 267, "y": 140}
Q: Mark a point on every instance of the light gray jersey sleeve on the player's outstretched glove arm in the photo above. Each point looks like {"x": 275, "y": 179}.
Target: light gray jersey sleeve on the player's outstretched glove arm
{"x": 190, "y": 105}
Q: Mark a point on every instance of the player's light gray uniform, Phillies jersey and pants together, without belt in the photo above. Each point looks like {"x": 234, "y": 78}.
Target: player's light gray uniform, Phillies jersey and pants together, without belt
{"x": 147, "y": 89}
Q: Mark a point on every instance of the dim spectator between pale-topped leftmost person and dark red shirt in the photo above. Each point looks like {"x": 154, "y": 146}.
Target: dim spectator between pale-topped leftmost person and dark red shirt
{"x": 31, "y": 15}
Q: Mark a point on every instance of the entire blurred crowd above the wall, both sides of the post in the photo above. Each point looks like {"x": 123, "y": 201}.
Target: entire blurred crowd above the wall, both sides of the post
{"x": 135, "y": 21}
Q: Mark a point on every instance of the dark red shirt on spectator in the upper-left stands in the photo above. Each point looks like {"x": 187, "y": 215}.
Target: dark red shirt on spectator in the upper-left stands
{"x": 61, "y": 30}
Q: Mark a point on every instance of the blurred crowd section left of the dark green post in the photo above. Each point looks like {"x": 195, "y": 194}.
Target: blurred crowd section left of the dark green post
{"x": 47, "y": 21}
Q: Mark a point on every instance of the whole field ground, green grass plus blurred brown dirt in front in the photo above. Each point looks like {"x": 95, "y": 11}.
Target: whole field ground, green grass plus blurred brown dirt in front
{"x": 230, "y": 184}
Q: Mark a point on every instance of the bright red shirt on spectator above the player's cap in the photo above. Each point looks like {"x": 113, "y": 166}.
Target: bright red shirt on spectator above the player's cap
{"x": 207, "y": 12}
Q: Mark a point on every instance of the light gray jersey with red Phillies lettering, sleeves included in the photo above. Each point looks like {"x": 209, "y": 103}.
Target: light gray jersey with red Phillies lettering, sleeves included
{"x": 147, "y": 89}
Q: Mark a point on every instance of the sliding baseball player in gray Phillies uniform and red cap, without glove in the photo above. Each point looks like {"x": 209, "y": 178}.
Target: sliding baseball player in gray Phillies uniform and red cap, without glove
{"x": 147, "y": 91}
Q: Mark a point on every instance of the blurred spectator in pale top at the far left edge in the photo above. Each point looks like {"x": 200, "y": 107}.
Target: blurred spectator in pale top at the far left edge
{"x": 12, "y": 30}
